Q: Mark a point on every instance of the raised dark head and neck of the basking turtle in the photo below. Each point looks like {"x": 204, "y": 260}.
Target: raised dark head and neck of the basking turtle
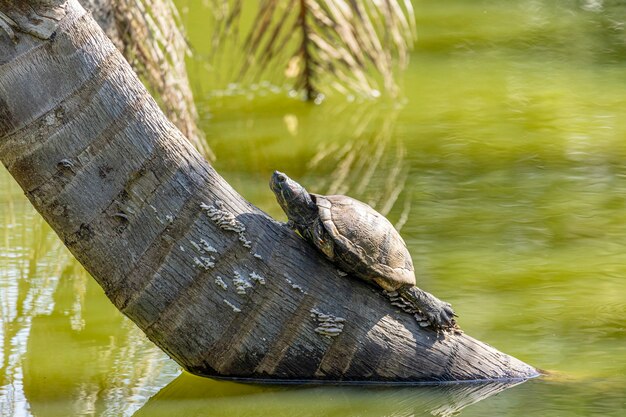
{"x": 295, "y": 201}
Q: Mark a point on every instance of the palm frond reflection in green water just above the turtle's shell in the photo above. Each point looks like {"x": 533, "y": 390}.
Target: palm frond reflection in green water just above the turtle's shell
{"x": 367, "y": 149}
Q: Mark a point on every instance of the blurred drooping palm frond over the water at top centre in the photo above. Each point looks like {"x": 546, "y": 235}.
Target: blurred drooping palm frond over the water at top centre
{"x": 350, "y": 46}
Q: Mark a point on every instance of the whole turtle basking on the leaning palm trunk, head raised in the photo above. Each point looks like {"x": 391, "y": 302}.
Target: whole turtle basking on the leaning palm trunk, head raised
{"x": 361, "y": 242}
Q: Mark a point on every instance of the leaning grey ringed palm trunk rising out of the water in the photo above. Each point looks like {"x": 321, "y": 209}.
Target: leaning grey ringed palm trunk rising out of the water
{"x": 217, "y": 284}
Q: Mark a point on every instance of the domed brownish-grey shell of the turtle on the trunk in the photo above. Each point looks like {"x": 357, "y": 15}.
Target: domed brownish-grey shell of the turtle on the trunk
{"x": 365, "y": 242}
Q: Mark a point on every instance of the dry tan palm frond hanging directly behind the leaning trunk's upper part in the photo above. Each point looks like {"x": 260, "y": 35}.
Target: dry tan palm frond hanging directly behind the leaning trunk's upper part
{"x": 151, "y": 36}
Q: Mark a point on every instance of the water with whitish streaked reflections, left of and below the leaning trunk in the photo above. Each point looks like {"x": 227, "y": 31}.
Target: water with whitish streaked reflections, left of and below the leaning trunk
{"x": 65, "y": 349}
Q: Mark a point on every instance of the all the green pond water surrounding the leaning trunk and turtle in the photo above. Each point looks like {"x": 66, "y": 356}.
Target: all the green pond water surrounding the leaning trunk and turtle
{"x": 504, "y": 164}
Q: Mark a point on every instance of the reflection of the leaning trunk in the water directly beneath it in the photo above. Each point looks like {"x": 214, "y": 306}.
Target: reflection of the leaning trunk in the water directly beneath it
{"x": 190, "y": 396}
